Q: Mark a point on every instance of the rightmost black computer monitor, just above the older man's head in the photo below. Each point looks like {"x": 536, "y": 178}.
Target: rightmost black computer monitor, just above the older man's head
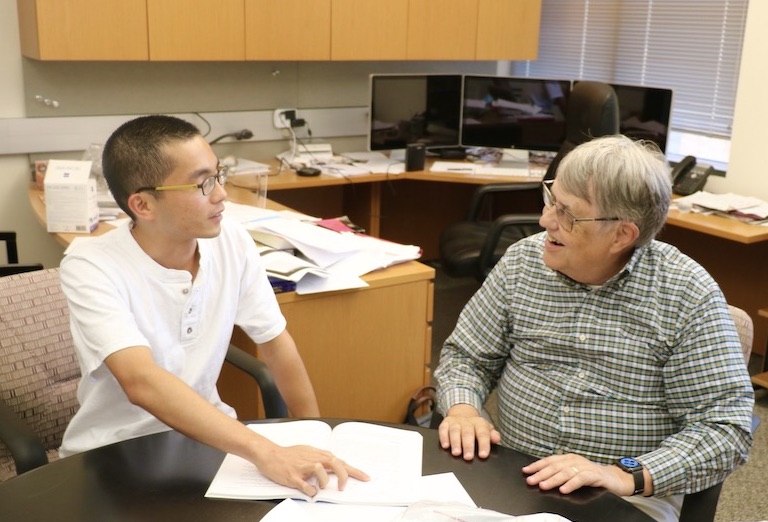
{"x": 644, "y": 112}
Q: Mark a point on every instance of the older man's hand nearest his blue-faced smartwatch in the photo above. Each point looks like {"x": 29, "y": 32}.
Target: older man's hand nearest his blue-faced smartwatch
{"x": 570, "y": 472}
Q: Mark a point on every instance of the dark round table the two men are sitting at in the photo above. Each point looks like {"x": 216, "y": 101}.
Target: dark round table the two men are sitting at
{"x": 165, "y": 477}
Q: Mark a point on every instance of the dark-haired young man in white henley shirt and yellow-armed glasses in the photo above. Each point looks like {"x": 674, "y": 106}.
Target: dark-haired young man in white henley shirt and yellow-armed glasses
{"x": 153, "y": 305}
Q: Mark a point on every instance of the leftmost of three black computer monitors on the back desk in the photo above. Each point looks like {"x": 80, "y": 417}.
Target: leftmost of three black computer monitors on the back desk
{"x": 414, "y": 108}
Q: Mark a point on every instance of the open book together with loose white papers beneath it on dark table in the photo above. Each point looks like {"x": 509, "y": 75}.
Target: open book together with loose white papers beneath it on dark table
{"x": 392, "y": 457}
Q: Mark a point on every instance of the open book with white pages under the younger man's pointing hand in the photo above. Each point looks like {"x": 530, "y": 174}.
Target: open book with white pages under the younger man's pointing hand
{"x": 390, "y": 456}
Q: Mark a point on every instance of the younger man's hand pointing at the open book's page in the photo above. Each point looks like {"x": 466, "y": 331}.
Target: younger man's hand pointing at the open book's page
{"x": 294, "y": 466}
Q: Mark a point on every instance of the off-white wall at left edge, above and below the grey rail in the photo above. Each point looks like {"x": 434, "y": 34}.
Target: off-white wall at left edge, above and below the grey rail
{"x": 35, "y": 245}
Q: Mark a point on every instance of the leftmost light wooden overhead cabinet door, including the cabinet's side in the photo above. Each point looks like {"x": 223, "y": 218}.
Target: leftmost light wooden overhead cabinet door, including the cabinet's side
{"x": 83, "y": 29}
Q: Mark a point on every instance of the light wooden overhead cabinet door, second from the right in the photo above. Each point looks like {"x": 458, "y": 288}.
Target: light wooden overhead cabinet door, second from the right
{"x": 442, "y": 30}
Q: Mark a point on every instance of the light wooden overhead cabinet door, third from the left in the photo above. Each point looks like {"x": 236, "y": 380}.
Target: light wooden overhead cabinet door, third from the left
{"x": 287, "y": 29}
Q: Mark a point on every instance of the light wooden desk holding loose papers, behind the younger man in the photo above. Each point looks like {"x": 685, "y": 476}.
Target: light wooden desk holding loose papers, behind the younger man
{"x": 366, "y": 350}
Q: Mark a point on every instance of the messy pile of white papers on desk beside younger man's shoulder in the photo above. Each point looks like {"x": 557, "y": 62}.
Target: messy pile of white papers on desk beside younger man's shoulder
{"x": 319, "y": 255}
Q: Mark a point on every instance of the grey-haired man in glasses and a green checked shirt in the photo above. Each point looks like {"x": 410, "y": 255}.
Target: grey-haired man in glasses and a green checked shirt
{"x": 604, "y": 343}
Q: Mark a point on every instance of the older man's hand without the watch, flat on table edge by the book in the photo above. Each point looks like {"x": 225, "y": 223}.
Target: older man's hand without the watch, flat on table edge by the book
{"x": 463, "y": 428}
